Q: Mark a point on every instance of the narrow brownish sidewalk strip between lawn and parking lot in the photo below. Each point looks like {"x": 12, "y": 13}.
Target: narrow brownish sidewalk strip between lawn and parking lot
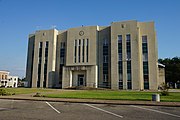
{"x": 91, "y": 101}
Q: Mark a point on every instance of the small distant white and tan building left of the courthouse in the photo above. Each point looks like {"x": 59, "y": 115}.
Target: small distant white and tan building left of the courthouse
{"x": 8, "y": 81}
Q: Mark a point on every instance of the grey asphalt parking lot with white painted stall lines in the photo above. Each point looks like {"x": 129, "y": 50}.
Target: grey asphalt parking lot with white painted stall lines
{"x": 40, "y": 110}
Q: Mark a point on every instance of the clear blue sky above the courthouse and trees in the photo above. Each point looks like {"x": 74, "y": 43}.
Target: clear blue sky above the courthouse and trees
{"x": 19, "y": 18}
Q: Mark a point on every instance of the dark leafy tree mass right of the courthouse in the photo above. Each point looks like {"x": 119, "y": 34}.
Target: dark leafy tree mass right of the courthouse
{"x": 172, "y": 69}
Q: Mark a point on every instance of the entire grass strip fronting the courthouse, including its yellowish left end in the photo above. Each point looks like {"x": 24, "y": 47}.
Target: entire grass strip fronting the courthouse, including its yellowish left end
{"x": 96, "y": 94}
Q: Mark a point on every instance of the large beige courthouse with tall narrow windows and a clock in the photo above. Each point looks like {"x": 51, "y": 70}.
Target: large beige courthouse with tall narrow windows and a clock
{"x": 120, "y": 56}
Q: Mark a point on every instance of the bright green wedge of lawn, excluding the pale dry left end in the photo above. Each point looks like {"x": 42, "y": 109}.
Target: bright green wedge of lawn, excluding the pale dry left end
{"x": 114, "y": 95}
